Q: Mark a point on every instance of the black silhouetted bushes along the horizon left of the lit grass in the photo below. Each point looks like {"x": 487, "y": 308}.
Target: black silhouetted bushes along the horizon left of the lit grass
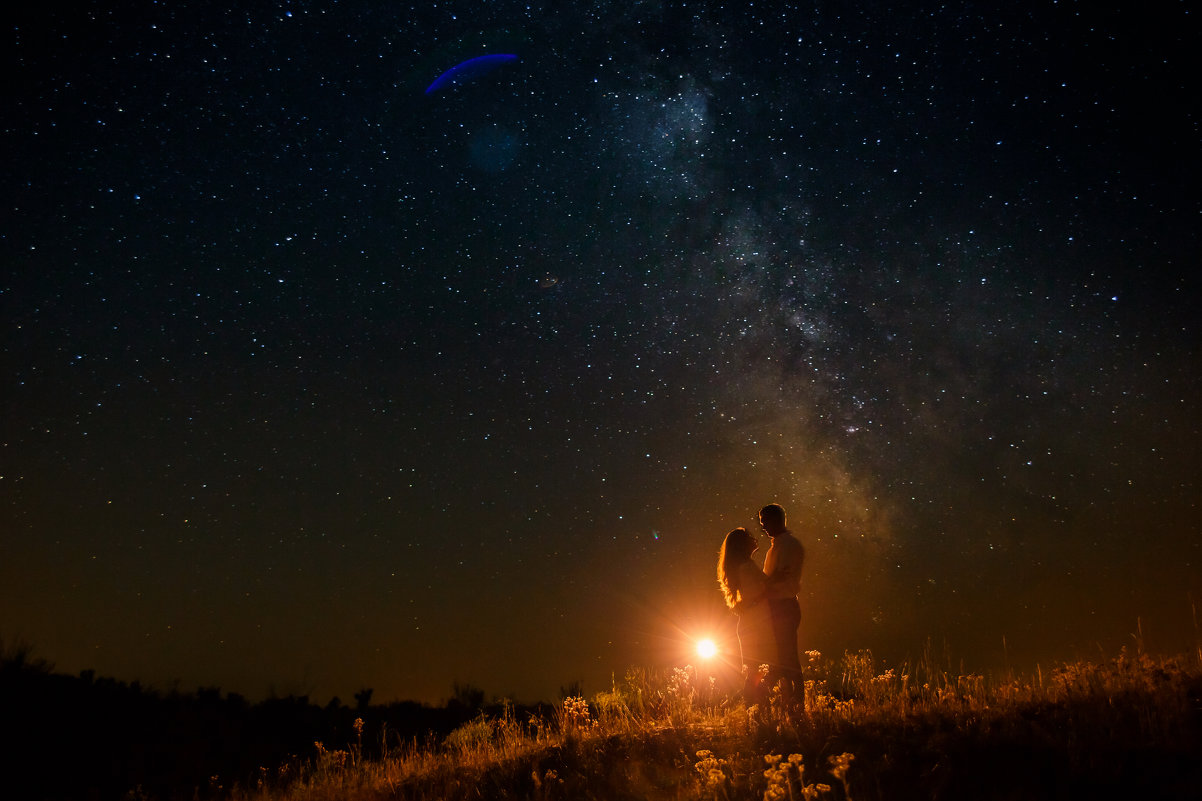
{"x": 96, "y": 738}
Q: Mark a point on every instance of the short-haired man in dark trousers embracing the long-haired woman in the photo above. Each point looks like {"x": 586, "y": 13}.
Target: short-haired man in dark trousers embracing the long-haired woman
{"x": 783, "y": 566}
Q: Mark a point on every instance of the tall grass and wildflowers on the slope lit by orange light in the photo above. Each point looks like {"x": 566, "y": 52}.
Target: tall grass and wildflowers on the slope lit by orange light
{"x": 1129, "y": 727}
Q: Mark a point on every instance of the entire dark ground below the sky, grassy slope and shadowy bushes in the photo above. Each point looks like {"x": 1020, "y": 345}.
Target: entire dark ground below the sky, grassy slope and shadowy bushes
{"x": 1124, "y": 728}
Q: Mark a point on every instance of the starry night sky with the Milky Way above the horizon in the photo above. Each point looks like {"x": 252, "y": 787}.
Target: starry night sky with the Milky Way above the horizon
{"x": 314, "y": 381}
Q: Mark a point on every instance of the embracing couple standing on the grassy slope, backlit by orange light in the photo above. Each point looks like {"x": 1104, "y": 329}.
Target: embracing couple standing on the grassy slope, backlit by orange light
{"x": 766, "y": 603}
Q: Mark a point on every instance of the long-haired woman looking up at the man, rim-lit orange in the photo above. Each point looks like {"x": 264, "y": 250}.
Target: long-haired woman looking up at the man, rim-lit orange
{"x": 743, "y": 588}
